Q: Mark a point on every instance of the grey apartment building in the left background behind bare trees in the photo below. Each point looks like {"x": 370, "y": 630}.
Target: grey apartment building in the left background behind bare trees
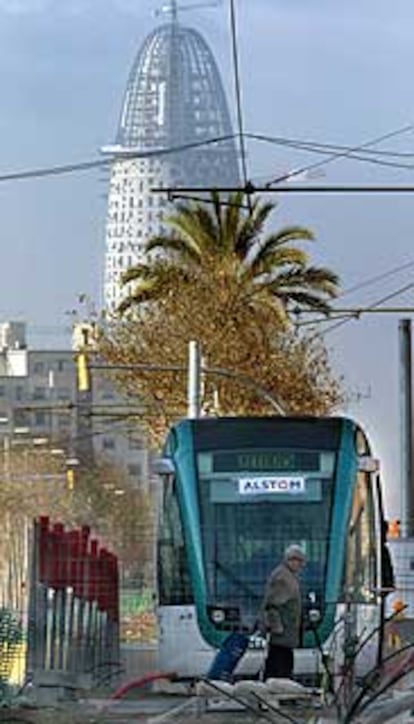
{"x": 40, "y": 403}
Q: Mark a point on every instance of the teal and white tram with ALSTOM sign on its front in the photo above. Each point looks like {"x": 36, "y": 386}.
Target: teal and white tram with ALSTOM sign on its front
{"x": 235, "y": 493}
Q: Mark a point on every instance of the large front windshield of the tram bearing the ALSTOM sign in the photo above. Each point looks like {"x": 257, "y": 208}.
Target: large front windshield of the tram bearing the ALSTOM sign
{"x": 254, "y": 503}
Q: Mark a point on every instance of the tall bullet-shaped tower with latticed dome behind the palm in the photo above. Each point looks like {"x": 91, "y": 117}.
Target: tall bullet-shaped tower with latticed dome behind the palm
{"x": 174, "y": 109}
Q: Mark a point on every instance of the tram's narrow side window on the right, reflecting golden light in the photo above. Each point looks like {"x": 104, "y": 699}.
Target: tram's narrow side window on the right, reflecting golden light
{"x": 361, "y": 566}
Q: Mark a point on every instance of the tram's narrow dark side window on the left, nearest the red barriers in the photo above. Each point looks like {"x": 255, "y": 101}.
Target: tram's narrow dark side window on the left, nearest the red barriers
{"x": 173, "y": 574}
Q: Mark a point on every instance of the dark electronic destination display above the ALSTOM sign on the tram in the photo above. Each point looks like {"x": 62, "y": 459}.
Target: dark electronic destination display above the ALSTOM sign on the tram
{"x": 257, "y": 461}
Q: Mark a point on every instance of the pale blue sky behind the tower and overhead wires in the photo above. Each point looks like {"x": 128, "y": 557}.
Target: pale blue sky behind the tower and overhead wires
{"x": 336, "y": 73}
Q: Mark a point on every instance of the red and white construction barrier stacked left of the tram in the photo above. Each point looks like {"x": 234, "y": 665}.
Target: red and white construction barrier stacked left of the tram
{"x": 73, "y": 612}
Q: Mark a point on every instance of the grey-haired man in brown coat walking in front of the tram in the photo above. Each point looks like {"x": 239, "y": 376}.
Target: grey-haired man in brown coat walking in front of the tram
{"x": 280, "y": 618}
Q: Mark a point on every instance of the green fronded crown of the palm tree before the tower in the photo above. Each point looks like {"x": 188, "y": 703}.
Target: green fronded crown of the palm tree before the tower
{"x": 226, "y": 242}
